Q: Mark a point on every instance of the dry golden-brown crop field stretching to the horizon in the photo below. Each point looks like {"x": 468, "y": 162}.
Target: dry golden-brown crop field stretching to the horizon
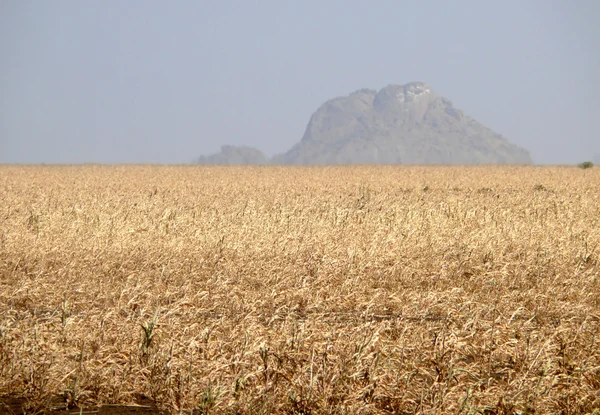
{"x": 258, "y": 290}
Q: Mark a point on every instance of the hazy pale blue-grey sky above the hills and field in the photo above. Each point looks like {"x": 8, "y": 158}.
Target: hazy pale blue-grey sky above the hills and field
{"x": 144, "y": 81}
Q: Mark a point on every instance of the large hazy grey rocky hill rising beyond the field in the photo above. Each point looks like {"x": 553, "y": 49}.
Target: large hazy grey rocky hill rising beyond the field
{"x": 400, "y": 124}
